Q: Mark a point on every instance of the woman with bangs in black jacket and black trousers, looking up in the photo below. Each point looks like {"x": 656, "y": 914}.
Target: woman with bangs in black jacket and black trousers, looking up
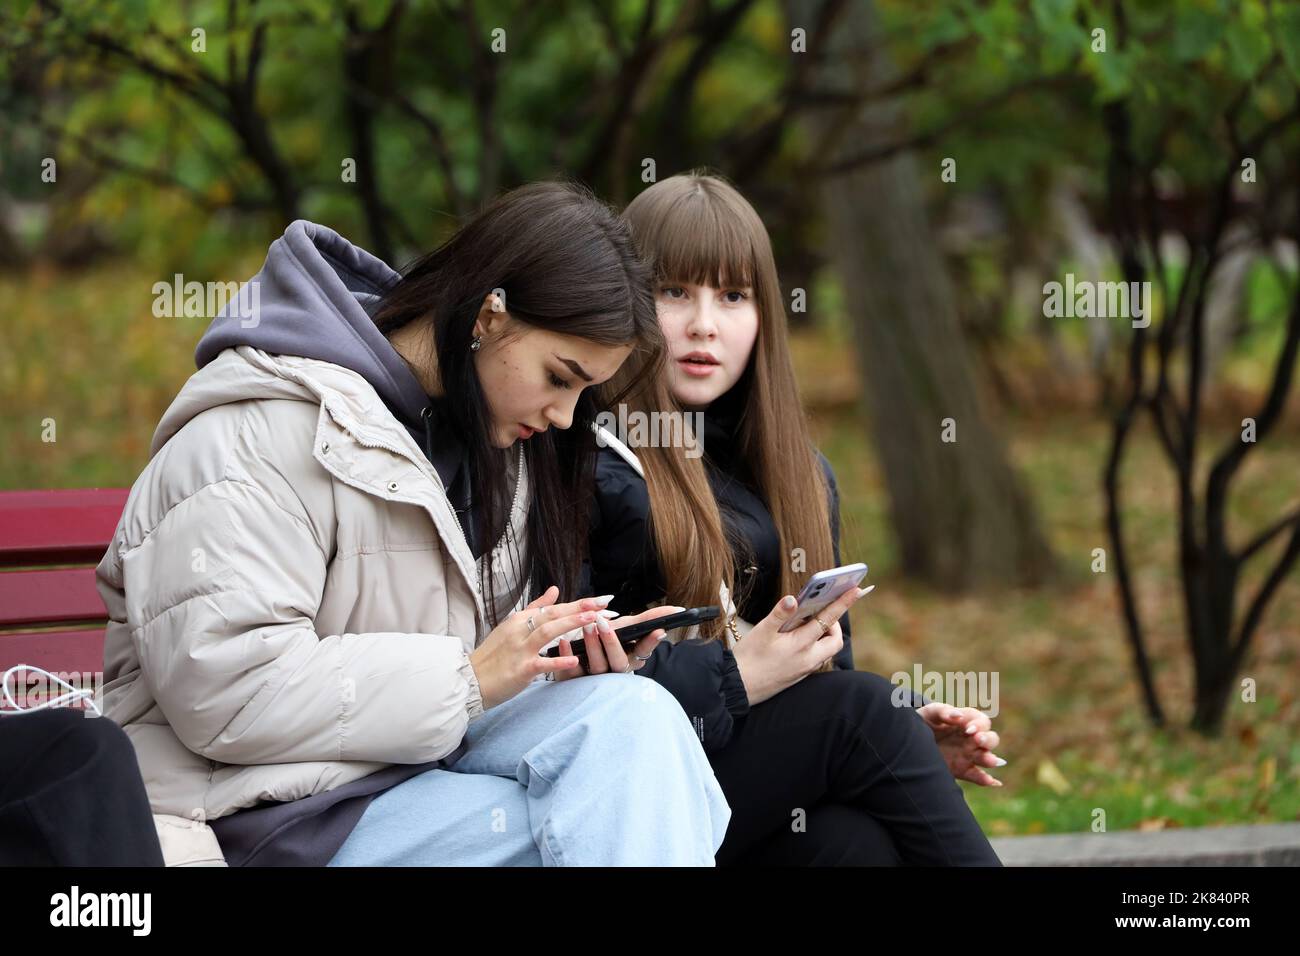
{"x": 821, "y": 764}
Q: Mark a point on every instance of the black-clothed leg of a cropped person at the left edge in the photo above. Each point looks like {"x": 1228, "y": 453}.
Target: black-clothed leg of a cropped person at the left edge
{"x": 72, "y": 794}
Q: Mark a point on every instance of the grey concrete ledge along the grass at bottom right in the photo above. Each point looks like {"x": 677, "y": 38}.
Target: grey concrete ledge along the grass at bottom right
{"x": 1262, "y": 845}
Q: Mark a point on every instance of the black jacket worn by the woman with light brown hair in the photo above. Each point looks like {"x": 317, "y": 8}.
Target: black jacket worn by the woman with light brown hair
{"x": 703, "y": 676}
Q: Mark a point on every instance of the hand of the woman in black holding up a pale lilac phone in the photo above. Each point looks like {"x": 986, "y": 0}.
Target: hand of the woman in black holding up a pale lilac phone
{"x": 772, "y": 661}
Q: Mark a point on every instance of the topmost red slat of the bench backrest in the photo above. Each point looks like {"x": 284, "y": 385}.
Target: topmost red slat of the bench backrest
{"x": 59, "y": 527}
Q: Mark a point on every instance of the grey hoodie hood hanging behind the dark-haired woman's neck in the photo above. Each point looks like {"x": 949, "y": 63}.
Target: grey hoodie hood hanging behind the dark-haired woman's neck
{"x": 311, "y": 300}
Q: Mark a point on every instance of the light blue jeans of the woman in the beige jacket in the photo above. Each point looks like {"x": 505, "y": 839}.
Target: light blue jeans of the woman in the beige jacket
{"x": 599, "y": 771}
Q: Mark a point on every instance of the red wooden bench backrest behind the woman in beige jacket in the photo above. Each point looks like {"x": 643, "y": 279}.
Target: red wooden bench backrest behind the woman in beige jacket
{"x": 51, "y": 616}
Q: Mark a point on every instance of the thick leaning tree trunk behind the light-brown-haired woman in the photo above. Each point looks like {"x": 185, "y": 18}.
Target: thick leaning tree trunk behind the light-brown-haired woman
{"x": 959, "y": 511}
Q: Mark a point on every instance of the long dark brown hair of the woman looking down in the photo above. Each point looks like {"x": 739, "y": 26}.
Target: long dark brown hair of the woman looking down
{"x": 566, "y": 263}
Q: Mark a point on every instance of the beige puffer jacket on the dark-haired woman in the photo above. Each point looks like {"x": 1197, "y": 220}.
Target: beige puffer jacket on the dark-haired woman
{"x": 292, "y": 599}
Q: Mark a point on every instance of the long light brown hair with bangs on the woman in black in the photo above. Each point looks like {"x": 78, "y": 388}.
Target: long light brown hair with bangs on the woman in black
{"x": 697, "y": 230}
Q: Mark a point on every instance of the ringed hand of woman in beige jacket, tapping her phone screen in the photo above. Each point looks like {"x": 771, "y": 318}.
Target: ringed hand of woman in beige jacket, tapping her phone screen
{"x": 510, "y": 657}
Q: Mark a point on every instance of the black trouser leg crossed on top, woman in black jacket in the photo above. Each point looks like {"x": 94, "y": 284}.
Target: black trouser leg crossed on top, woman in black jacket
{"x": 838, "y": 738}
